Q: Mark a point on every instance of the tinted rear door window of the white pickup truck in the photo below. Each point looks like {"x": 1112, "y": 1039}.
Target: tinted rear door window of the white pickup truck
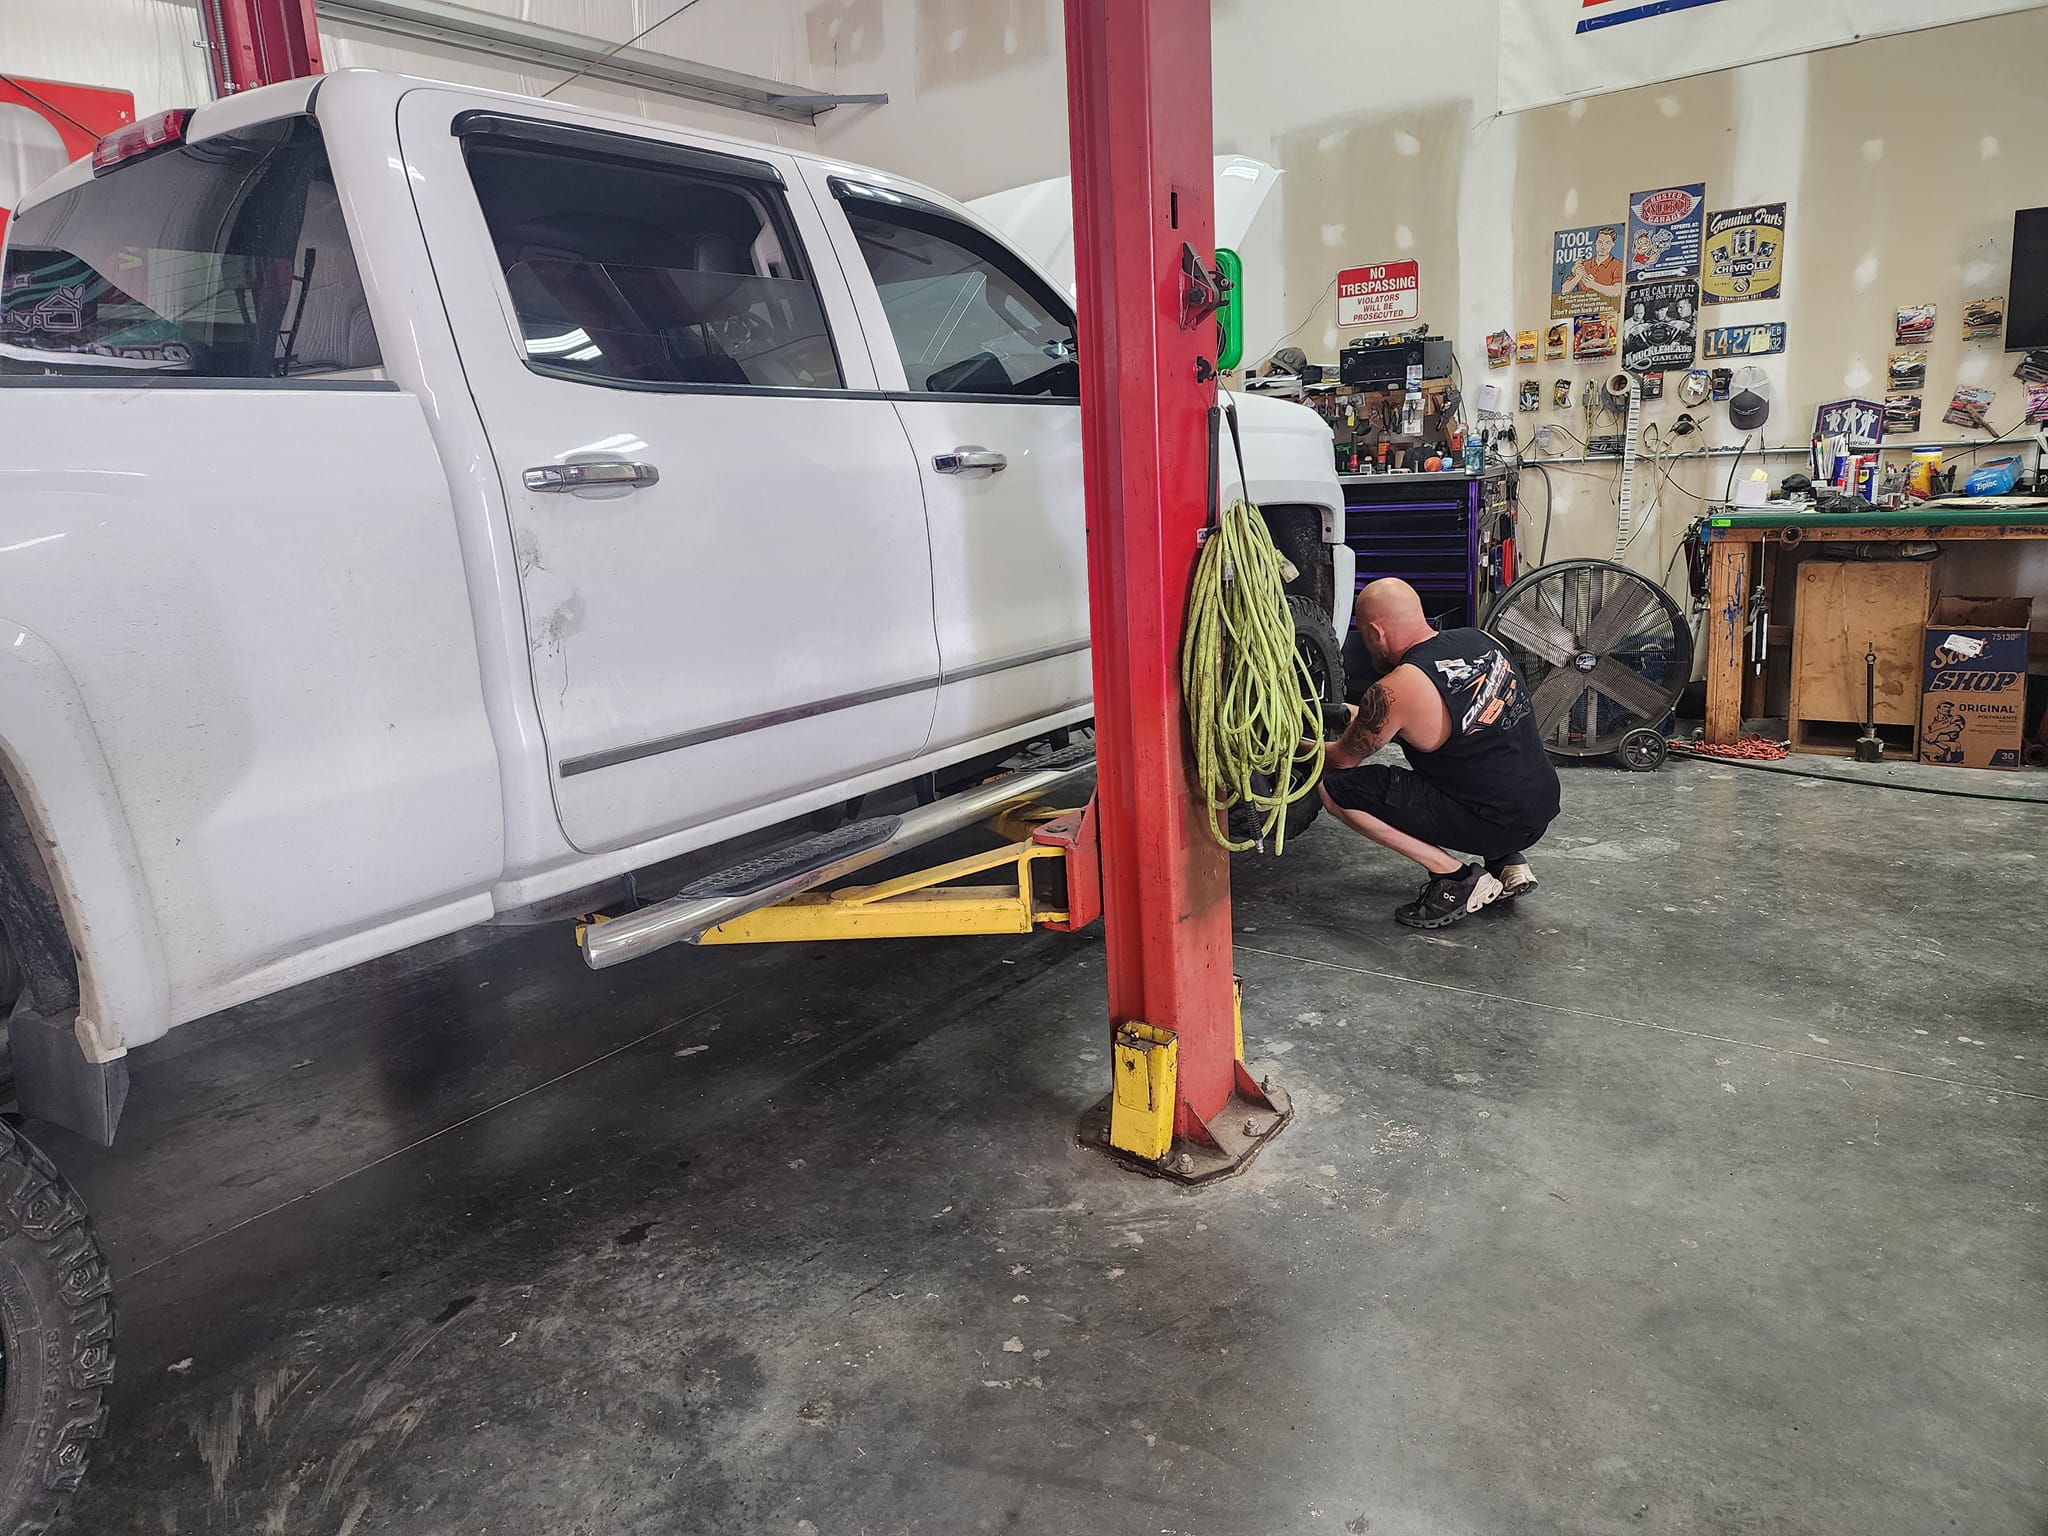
{"x": 646, "y": 273}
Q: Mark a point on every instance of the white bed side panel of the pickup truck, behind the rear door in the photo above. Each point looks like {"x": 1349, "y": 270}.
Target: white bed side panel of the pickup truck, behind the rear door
{"x": 253, "y": 597}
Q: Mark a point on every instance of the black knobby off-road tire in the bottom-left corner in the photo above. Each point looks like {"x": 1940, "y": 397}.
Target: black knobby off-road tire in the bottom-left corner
{"x": 58, "y": 1332}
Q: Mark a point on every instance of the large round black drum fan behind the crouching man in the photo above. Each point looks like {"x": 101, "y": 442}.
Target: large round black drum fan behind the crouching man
{"x": 1605, "y": 654}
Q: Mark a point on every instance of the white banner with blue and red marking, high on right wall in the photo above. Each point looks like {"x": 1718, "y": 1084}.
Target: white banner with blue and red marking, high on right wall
{"x": 1558, "y": 50}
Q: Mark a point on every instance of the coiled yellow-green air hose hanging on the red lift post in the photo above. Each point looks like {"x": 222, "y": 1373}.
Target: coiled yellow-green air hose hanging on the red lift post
{"x": 1252, "y": 701}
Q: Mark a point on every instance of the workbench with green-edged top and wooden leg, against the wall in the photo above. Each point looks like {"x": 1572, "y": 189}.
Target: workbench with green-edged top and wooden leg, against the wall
{"x": 1738, "y": 544}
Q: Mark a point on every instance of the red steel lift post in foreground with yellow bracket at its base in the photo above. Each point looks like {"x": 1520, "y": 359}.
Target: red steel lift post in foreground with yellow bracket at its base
{"x": 1142, "y": 138}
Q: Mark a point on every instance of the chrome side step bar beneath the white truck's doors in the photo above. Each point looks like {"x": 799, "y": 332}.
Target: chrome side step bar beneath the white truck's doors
{"x": 693, "y": 912}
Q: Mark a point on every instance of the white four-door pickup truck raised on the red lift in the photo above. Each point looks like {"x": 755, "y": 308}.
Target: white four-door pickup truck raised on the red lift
{"x": 425, "y": 507}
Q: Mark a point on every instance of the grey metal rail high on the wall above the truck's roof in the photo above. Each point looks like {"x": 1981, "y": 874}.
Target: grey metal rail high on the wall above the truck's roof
{"x": 550, "y": 48}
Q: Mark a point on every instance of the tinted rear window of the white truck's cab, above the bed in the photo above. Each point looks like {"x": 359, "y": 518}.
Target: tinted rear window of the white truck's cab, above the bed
{"x": 224, "y": 259}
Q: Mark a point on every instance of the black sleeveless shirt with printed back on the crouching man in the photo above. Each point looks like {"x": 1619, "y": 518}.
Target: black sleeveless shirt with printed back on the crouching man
{"x": 1494, "y": 763}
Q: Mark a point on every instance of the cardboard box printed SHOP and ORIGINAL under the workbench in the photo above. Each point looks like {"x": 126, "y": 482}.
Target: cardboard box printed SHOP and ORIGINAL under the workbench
{"x": 1975, "y": 703}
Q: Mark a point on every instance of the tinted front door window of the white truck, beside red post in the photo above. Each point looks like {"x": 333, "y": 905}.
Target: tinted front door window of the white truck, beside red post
{"x": 970, "y": 318}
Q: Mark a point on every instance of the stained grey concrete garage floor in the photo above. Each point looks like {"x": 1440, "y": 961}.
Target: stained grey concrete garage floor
{"x": 1699, "y": 1195}
